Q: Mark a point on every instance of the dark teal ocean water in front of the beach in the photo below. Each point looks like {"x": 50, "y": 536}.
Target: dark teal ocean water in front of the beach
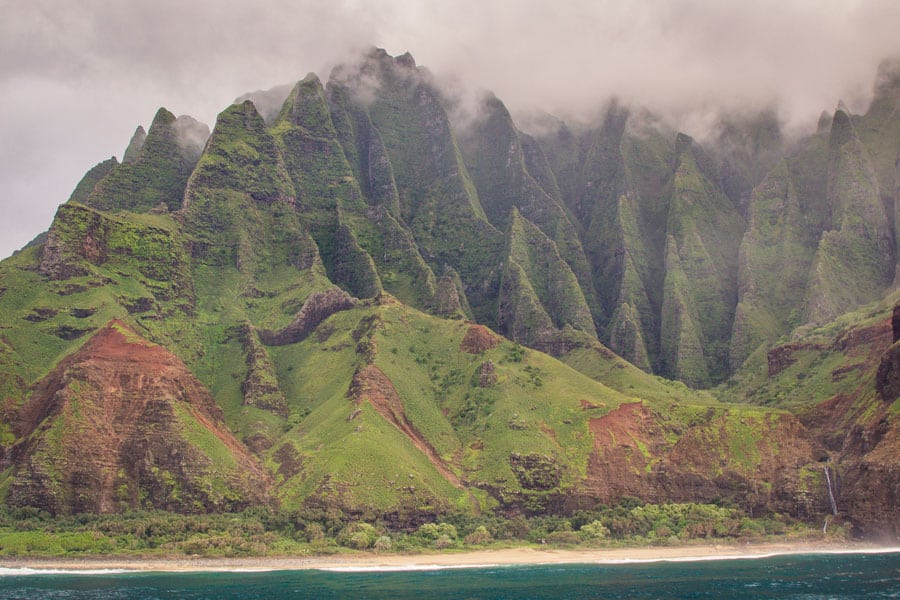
{"x": 799, "y": 576}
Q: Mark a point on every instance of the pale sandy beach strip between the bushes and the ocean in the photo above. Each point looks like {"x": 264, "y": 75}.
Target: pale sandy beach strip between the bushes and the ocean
{"x": 522, "y": 556}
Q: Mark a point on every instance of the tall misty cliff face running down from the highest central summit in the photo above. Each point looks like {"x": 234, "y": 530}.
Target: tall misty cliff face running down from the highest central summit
{"x": 391, "y": 102}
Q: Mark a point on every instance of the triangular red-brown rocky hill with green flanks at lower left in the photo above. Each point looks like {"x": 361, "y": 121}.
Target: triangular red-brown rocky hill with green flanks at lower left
{"x": 122, "y": 424}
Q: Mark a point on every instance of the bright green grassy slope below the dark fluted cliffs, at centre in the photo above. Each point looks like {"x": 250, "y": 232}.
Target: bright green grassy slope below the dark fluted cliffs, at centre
{"x": 355, "y": 459}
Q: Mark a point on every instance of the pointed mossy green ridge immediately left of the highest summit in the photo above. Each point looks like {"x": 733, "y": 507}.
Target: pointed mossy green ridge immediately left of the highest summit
{"x": 345, "y": 225}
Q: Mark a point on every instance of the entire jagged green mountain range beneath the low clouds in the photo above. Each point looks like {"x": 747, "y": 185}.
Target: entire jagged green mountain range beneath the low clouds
{"x": 339, "y": 279}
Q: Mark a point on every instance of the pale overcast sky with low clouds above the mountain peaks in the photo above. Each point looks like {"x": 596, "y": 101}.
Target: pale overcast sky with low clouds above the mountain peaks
{"x": 77, "y": 76}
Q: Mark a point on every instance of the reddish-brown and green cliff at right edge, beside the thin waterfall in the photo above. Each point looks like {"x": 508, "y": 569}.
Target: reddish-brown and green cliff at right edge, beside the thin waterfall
{"x": 841, "y": 382}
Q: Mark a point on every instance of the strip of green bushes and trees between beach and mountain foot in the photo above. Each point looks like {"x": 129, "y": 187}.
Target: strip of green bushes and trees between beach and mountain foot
{"x": 261, "y": 531}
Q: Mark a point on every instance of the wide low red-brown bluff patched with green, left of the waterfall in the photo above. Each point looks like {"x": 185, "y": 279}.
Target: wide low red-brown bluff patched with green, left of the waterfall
{"x": 763, "y": 470}
